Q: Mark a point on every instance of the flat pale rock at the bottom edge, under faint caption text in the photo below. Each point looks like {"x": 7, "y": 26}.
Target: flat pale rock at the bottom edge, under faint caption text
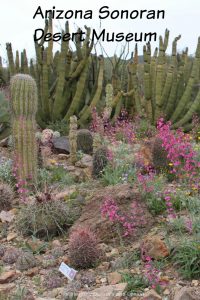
{"x": 104, "y": 293}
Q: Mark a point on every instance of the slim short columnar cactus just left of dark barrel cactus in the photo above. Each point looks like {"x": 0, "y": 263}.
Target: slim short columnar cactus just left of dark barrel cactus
{"x": 73, "y": 139}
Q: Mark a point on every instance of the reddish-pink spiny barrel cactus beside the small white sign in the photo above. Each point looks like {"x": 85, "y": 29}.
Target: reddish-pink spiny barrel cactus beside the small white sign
{"x": 83, "y": 248}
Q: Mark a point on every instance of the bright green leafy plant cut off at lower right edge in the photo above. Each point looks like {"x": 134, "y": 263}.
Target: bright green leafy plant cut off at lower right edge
{"x": 187, "y": 259}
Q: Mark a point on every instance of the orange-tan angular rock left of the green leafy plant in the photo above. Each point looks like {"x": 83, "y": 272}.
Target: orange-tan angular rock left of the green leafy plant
{"x": 154, "y": 247}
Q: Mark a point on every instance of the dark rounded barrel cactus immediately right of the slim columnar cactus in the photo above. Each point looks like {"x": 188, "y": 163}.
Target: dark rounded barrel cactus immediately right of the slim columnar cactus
{"x": 85, "y": 141}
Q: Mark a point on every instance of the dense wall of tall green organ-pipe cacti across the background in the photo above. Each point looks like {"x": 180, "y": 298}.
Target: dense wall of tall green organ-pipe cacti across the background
{"x": 73, "y": 82}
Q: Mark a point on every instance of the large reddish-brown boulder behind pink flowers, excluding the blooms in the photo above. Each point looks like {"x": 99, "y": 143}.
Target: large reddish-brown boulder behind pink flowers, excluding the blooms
{"x": 91, "y": 213}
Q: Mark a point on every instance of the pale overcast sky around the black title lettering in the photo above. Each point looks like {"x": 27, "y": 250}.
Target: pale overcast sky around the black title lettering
{"x": 182, "y": 17}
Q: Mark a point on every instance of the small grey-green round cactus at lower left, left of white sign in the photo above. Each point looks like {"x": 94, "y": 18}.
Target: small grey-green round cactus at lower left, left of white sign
{"x": 25, "y": 261}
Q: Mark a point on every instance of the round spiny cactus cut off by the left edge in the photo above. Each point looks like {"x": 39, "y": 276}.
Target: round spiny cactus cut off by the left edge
{"x": 6, "y": 196}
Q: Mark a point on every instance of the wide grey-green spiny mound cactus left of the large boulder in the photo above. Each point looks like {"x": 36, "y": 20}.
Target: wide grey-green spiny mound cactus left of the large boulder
{"x": 45, "y": 217}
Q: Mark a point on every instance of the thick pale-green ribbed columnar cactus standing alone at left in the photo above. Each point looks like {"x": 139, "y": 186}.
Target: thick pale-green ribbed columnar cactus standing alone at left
{"x": 24, "y": 108}
